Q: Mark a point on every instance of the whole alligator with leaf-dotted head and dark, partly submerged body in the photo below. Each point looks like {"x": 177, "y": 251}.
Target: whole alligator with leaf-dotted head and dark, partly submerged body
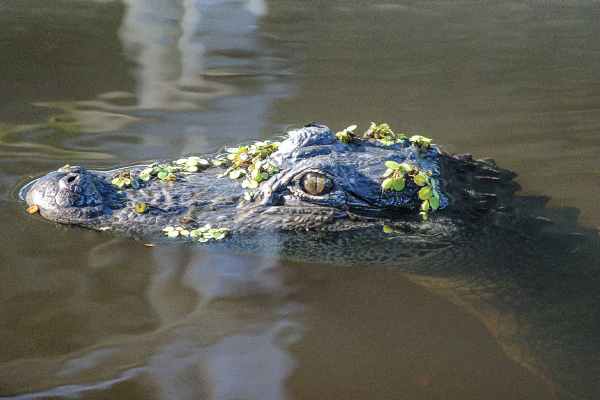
{"x": 449, "y": 222}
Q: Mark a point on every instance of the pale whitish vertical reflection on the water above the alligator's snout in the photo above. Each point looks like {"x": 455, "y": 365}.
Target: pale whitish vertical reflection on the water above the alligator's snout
{"x": 170, "y": 42}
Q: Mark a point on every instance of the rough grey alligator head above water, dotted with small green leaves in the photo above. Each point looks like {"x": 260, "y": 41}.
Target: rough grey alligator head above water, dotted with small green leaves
{"x": 313, "y": 181}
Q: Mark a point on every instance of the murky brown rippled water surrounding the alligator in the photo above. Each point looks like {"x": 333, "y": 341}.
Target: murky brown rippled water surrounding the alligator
{"x": 83, "y": 313}
